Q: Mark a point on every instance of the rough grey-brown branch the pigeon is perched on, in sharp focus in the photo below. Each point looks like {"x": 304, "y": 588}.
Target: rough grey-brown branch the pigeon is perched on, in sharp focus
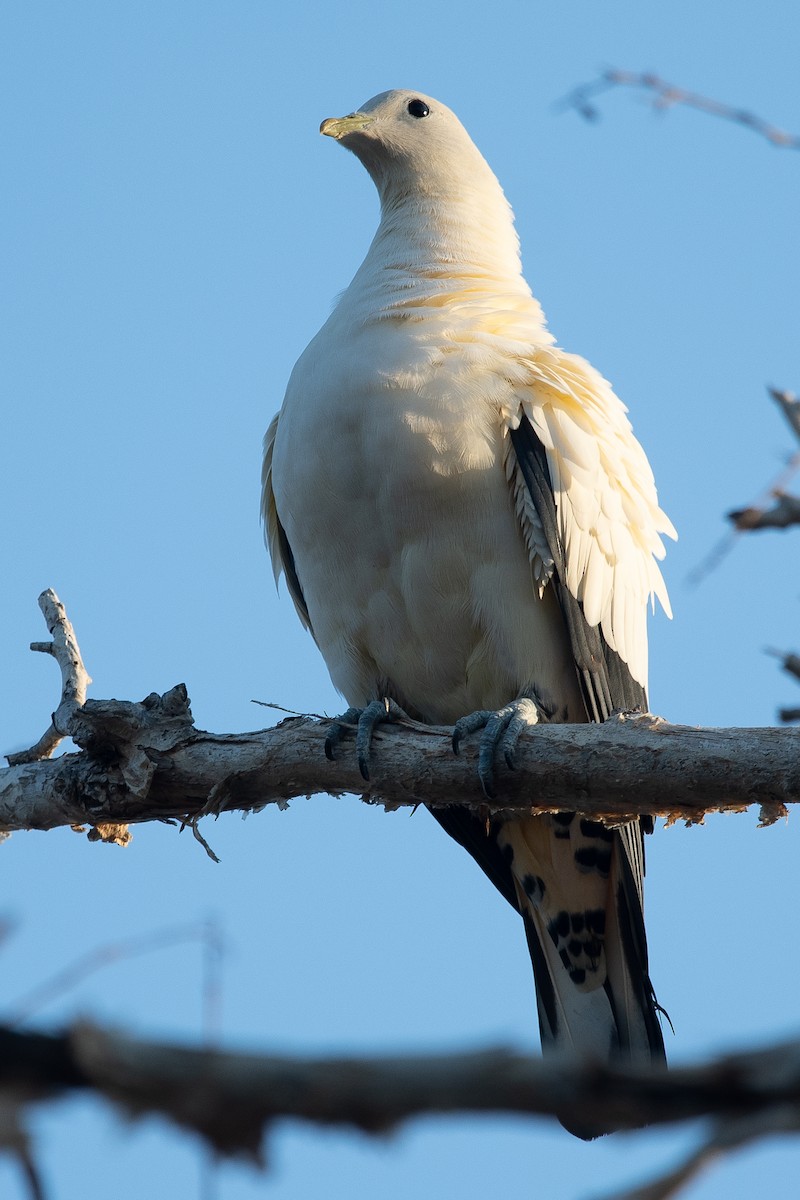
{"x": 148, "y": 763}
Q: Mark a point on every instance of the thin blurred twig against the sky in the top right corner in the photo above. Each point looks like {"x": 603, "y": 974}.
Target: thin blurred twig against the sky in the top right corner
{"x": 665, "y": 97}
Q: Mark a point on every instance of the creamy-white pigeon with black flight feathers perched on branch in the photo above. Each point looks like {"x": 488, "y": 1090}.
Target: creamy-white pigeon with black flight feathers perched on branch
{"x": 468, "y": 526}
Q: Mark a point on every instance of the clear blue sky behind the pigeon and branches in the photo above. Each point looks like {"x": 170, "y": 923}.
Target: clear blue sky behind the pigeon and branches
{"x": 176, "y": 232}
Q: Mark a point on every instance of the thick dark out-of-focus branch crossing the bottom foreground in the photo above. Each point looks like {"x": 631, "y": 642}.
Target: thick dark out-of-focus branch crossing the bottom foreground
{"x": 231, "y": 1100}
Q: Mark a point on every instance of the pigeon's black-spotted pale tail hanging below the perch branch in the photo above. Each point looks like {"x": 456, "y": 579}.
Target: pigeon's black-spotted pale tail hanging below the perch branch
{"x": 580, "y": 892}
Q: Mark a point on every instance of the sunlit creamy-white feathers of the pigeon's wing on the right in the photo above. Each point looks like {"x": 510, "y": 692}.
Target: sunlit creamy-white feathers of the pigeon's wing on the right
{"x": 607, "y": 509}
